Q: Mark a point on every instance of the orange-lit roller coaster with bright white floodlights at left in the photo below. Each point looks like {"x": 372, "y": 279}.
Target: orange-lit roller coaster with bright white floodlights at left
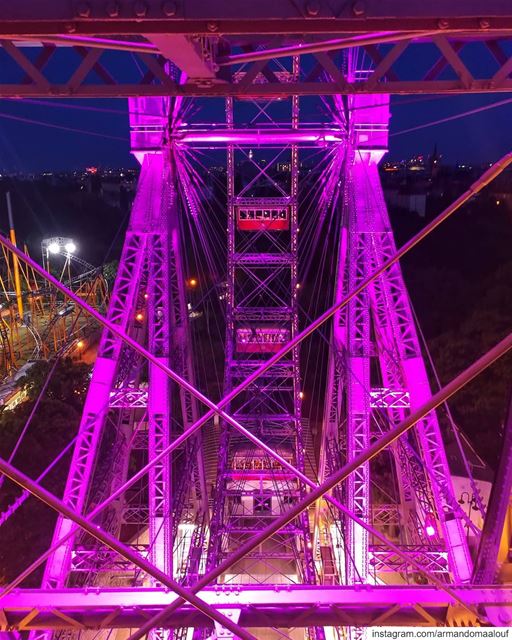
{"x": 35, "y": 321}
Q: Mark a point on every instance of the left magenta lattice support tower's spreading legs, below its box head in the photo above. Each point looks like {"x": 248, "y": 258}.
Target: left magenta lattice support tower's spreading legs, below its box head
{"x": 164, "y": 516}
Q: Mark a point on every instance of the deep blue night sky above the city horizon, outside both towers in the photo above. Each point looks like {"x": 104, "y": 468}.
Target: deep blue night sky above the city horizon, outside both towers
{"x": 28, "y": 147}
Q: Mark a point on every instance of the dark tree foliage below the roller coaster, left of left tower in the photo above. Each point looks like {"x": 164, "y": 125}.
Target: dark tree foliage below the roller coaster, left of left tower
{"x": 27, "y": 533}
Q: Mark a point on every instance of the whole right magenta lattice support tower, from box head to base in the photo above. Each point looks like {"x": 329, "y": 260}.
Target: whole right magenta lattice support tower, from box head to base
{"x": 376, "y": 375}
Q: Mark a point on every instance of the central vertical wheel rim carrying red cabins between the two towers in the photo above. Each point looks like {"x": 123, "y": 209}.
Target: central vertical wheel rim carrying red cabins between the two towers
{"x": 262, "y": 315}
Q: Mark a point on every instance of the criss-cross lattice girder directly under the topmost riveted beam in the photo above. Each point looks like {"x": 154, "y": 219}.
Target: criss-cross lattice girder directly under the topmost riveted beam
{"x": 92, "y": 72}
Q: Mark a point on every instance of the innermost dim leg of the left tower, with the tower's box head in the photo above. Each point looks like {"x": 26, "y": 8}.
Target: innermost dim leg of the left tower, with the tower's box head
{"x": 153, "y": 122}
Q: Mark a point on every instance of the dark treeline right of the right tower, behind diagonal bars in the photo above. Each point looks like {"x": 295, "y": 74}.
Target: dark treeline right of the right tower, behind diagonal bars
{"x": 460, "y": 283}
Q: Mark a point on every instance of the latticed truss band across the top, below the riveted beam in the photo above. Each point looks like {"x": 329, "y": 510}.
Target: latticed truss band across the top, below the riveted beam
{"x": 211, "y": 73}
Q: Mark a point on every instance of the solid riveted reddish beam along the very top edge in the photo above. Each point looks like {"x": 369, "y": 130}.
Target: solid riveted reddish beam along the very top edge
{"x": 238, "y": 17}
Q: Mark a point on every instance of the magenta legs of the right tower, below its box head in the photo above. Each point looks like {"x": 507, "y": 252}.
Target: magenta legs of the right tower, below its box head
{"x": 370, "y": 243}
